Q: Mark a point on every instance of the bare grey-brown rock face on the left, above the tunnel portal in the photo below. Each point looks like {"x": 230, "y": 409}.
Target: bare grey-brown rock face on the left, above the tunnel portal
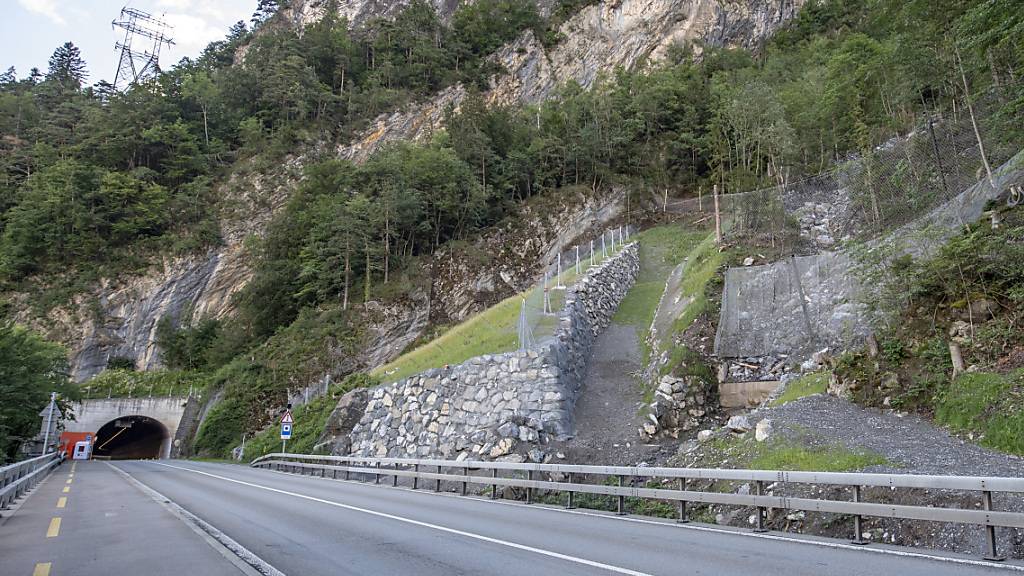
{"x": 119, "y": 318}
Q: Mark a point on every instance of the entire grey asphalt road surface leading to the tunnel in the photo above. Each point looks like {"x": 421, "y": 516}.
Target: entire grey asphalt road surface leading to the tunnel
{"x": 310, "y": 526}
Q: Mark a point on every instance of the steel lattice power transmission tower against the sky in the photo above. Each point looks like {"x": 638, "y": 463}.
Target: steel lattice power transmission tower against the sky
{"x": 139, "y": 65}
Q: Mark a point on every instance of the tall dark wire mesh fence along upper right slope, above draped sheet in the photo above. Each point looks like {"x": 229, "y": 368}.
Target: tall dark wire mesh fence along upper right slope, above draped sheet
{"x": 864, "y": 197}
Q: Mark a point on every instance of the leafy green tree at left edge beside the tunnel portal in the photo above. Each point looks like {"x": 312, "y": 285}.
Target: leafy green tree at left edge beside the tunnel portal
{"x": 30, "y": 369}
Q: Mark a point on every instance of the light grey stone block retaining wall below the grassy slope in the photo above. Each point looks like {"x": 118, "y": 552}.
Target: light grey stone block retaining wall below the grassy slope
{"x": 487, "y": 406}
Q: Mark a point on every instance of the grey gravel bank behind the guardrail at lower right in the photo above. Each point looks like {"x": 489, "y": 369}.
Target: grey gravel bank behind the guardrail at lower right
{"x": 916, "y": 444}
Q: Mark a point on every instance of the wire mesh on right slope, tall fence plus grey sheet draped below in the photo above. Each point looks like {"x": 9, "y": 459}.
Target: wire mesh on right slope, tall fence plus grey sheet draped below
{"x": 914, "y": 191}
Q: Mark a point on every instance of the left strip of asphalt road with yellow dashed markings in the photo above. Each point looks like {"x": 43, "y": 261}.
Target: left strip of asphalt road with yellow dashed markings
{"x": 88, "y": 519}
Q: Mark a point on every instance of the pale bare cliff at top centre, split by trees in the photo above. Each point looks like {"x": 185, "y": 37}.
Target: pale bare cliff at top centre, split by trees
{"x": 600, "y": 38}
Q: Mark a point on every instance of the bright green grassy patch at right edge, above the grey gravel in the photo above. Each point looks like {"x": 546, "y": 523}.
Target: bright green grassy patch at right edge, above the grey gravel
{"x": 989, "y": 405}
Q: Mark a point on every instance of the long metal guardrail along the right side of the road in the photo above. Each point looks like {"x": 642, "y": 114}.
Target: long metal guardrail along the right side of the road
{"x": 682, "y": 496}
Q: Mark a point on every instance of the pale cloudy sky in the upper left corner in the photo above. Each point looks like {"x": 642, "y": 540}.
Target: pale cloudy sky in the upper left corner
{"x": 30, "y": 30}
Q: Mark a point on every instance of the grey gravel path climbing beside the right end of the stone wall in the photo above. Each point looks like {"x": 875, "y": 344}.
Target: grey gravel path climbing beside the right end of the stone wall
{"x": 607, "y": 412}
